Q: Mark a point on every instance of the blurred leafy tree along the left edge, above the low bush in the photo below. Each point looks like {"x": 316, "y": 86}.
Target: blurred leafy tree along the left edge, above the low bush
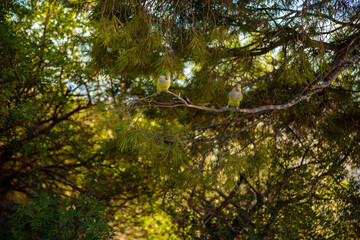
{"x": 45, "y": 86}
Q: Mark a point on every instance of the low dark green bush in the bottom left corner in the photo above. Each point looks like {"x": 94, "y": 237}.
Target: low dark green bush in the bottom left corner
{"x": 50, "y": 217}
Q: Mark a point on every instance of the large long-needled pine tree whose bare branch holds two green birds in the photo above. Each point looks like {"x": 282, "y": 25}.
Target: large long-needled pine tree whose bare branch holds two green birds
{"x": 277, "y": 172}
